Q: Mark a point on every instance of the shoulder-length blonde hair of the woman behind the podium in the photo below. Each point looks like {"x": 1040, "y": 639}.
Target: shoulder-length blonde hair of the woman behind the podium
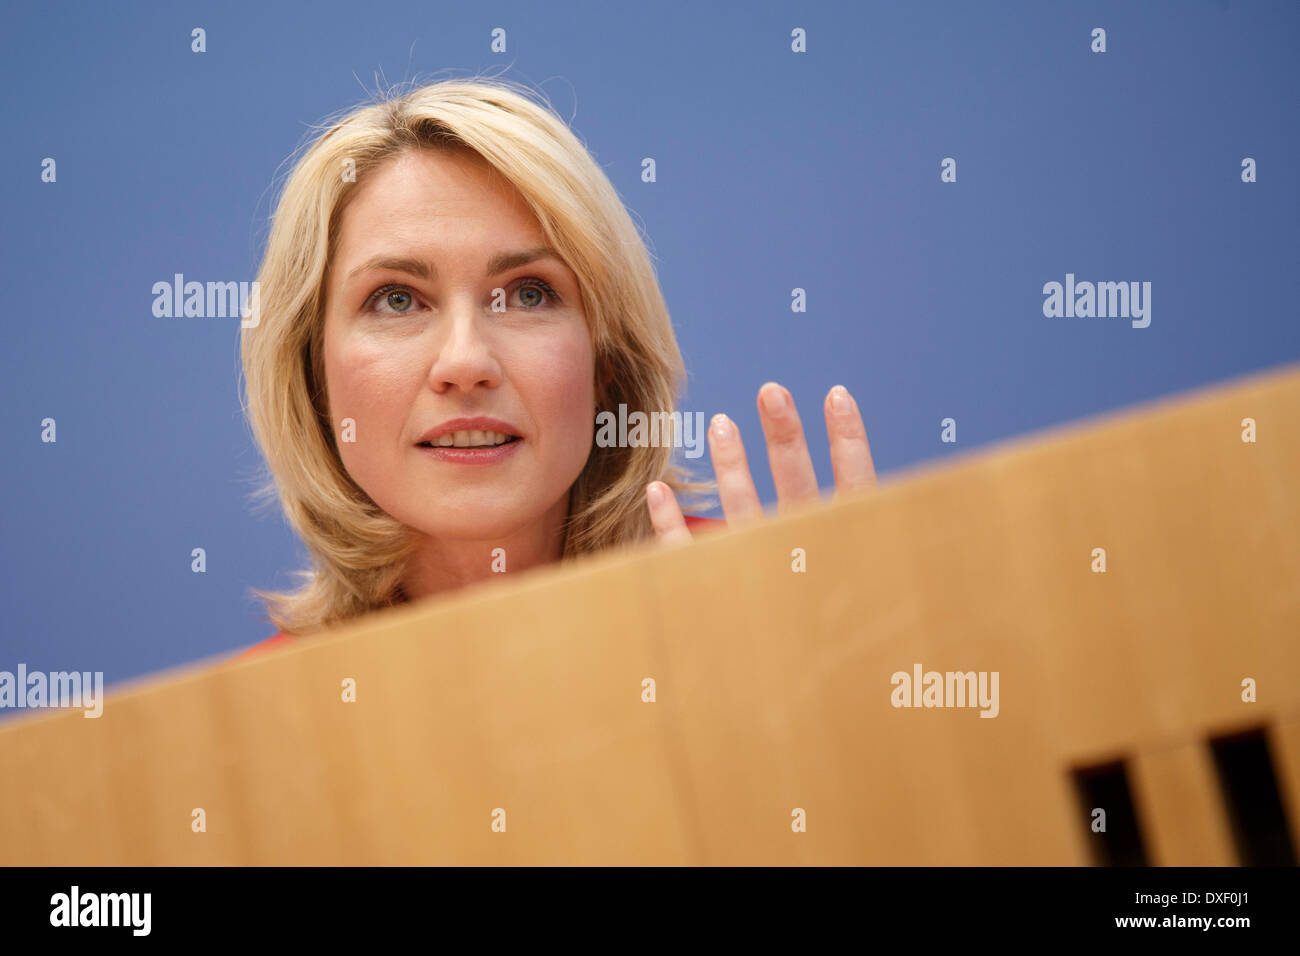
{"x": 359, "y": 553}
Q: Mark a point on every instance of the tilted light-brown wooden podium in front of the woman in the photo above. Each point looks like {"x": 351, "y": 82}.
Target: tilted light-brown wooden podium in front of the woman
{"x": 514, "y": 723}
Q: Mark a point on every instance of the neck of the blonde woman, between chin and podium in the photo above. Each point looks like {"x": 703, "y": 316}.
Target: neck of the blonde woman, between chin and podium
{"x": 444, "y": 565}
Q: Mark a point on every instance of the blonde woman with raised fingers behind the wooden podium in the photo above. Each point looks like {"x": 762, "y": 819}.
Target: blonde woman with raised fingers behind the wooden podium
{"x": 452, "y": 292}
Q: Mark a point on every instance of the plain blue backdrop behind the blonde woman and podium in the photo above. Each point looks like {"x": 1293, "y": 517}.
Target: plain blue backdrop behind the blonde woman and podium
{"x": 775, "y": 171}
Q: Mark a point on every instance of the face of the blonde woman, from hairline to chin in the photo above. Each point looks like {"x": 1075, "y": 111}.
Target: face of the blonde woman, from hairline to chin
{"x": 444, "y": 305}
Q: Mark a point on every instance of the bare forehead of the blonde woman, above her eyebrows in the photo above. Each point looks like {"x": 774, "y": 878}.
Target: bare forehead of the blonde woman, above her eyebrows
{"x": 435, "y": 196}
